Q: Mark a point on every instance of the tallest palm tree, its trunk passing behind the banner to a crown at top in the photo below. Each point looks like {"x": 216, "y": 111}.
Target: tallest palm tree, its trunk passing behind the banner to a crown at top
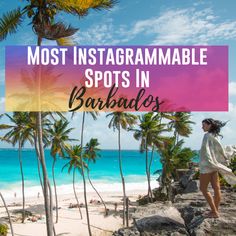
{"x": 42, "y": 18}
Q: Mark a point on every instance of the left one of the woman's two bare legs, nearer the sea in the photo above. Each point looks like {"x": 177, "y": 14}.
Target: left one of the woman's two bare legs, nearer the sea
{"x": 204, "y": 181}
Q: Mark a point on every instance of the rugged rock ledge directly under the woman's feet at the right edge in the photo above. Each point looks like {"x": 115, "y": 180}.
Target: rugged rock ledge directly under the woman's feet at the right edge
{"x": 192, "y": 207}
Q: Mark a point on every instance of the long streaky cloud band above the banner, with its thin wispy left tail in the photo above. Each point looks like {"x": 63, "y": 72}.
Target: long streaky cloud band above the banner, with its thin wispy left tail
{"x": 181, "y": 26}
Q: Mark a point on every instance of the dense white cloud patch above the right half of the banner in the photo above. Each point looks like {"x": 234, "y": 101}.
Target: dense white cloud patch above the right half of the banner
{"x": 186, "y": 26}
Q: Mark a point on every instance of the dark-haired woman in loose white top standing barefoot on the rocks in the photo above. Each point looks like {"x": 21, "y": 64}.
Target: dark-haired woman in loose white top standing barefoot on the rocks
{"x": 212, "y": 161}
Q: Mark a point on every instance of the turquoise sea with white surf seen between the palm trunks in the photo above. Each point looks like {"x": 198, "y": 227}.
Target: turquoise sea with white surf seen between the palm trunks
{"x": 105, "y": 172}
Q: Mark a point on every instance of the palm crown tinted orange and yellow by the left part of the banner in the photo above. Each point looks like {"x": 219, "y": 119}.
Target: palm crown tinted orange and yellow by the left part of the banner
{"x": 50, "y": 90}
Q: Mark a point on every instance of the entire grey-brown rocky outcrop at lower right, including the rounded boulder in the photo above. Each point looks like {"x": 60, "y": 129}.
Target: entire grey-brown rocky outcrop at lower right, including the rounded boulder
{"x": 185, "y": 216}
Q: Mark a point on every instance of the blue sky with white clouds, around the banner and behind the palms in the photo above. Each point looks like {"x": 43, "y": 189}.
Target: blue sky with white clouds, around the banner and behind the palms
{"x": 152, "y": 22}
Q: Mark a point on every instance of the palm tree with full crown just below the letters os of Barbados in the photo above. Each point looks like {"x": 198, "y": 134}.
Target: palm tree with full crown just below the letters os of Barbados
{"x": 148, "y": 132}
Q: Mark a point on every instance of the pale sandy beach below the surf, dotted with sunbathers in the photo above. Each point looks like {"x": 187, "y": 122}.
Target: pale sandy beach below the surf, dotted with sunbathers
{"x": 70, "y": 223}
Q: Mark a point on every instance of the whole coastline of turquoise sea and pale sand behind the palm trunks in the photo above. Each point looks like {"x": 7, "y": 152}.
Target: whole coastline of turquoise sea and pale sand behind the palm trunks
{"x": 105, "y": 176}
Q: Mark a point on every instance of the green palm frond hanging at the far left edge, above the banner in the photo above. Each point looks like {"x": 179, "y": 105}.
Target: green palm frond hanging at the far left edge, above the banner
{"x": 9, "y": 22}
